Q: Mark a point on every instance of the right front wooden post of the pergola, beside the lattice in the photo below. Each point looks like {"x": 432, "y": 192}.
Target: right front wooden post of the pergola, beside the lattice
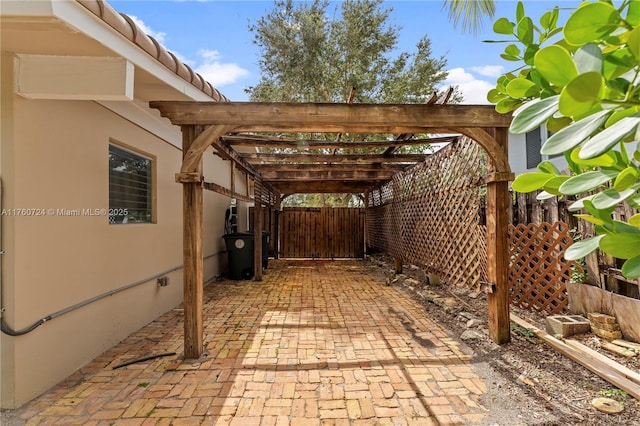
{"x": 498, "y": 205}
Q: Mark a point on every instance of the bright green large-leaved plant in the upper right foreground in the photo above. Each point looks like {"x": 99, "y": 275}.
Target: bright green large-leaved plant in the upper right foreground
{"x": 583, "y": 81}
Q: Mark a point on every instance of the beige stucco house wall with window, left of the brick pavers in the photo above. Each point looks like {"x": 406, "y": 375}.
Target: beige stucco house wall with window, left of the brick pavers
{"x": 54, "y": 161}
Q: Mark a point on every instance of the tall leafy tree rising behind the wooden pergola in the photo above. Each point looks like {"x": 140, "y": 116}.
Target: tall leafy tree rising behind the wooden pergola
{"x": 310, "y": 53}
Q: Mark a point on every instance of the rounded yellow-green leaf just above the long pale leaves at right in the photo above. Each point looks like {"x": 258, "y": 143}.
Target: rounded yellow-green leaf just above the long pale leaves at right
{"x": 581, "y": 94}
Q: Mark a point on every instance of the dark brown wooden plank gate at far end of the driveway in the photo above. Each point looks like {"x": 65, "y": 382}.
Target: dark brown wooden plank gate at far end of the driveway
{"x": 322, "y": 232}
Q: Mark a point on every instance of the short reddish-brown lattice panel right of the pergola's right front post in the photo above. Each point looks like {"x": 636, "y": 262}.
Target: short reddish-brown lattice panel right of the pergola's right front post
{"x": 537, "y": 271}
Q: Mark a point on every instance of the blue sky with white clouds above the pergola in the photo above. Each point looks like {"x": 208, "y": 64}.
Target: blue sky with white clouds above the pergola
{"x": 213, "y": 38}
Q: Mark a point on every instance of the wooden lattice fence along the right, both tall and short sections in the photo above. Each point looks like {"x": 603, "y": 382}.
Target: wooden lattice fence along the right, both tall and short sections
{"x": 431, "y": 218}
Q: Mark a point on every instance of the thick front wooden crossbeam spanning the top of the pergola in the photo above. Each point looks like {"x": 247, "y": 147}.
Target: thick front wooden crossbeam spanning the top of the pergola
{"x": 331, "y": 118}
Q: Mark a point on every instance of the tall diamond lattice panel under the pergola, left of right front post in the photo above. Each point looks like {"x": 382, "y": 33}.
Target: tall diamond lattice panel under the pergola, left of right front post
{"x": 429, "y": 215}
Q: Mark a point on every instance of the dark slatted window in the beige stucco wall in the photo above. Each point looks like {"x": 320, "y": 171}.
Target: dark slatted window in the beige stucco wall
{"x": 130, "y": 186}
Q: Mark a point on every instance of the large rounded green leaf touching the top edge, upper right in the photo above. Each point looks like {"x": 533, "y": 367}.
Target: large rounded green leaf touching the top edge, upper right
{"x": 590, "y": 22}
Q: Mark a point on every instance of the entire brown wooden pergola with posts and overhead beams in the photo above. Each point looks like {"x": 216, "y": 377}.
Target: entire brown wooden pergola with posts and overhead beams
{"x": 227, "y": 125}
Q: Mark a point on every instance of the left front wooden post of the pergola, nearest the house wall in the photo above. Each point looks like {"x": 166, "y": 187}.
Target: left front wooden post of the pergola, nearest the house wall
{"x": 193, "y": 255}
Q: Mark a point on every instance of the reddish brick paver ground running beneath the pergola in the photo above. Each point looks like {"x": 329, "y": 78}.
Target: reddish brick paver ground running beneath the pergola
{"x": 313, "y": 343}
